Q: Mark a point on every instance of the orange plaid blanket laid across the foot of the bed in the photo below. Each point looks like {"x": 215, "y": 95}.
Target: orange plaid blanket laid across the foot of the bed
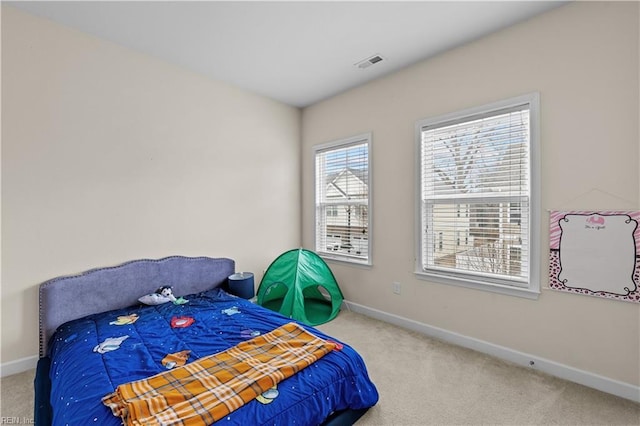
{"x": 211, "y": 387}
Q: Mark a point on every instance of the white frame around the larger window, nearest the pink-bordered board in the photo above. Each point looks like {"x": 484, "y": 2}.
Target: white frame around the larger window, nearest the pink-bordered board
{"x": 529, "y": 289}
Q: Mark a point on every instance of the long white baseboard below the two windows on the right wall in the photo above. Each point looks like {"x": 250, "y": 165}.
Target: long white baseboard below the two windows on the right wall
{"x": 592, "y": 380}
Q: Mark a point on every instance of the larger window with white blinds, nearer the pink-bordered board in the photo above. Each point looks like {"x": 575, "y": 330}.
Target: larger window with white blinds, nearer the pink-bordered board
{"x": 482, "y": 161}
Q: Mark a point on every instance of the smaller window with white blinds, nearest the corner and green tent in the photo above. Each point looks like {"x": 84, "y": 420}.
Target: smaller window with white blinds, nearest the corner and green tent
{"x": 342, "y": 188}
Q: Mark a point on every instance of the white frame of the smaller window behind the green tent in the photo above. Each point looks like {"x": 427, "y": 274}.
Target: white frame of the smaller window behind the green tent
{"x": 364, "y": 138}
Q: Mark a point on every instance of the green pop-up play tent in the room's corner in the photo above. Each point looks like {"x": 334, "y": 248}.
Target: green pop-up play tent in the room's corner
{"x": 300, "y": 285}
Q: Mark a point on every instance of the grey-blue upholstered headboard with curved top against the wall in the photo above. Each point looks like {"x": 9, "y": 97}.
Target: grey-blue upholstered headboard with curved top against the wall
{"x": 67, "y": 298}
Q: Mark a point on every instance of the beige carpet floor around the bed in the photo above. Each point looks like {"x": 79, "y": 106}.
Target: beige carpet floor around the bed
{"x": 422, "y": 381}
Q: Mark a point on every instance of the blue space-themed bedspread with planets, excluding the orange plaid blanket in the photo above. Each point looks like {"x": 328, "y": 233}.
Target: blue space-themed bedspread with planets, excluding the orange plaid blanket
{"x": 92, "y": 356}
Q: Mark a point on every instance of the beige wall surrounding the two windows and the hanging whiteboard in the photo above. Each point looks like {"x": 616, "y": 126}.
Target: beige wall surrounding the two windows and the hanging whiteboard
{"x": 583, "y": 59}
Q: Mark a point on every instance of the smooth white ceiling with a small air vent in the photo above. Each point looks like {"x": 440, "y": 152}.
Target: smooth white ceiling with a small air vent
{"x": 295, "y": 52}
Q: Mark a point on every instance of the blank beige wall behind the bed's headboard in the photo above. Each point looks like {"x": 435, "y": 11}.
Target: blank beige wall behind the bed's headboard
{"x": 110, "y": 155}
